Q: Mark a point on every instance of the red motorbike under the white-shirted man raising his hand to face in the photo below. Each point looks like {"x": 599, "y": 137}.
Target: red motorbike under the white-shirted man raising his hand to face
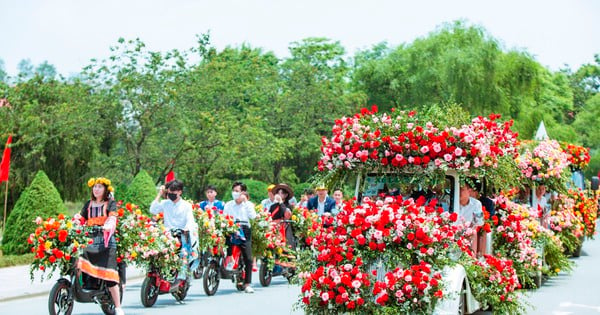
{"x": 156, "y": 284}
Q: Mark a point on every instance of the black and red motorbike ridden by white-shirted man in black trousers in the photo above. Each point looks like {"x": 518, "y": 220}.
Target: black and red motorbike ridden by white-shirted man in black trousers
{"x": 216, "y": 269}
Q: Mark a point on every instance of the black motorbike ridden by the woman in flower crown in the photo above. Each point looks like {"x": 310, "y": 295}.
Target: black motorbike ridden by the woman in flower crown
{"x": 76, "y": 286}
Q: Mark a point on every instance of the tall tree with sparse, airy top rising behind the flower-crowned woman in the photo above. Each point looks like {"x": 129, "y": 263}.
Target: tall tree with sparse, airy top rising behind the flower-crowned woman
{"x": 140, "y": 84}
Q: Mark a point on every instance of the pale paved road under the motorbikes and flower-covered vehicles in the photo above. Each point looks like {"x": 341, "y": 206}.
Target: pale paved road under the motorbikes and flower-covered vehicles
{"x": 576, "y": 293}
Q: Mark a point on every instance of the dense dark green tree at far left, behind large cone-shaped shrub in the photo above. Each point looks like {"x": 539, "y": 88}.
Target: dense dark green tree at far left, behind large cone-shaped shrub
{"x": 57, "y": 127}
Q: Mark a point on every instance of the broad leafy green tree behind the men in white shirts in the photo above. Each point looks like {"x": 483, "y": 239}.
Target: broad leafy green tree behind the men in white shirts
{"x": 225, "y": 98}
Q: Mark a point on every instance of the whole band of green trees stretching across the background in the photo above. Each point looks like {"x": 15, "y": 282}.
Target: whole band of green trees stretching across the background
{"x": 214, "y": 116}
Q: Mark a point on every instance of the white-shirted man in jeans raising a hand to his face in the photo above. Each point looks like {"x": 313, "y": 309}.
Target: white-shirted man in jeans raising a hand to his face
{"x": 177, "y": 214}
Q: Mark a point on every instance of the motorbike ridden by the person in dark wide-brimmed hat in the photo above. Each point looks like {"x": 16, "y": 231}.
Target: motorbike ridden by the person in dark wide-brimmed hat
{"x": 270, "y": 267}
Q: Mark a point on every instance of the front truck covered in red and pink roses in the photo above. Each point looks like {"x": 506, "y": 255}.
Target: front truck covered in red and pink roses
{"x": 406, "y": 252}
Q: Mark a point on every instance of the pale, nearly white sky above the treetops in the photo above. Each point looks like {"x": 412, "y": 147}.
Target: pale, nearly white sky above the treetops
{"x": 68, "y": 33}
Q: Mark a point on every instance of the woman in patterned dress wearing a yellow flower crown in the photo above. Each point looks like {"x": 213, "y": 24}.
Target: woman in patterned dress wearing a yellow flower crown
{"x": 99, "y": 260}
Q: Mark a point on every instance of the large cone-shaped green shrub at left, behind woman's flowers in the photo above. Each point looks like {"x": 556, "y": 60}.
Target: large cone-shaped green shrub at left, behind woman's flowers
{"x": 40, "y": 199}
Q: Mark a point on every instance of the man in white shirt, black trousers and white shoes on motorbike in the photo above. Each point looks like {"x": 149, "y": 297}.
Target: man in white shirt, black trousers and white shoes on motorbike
{"x": 242, "y": 212}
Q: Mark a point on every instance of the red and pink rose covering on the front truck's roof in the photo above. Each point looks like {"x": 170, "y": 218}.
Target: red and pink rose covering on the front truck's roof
{"x": 400, "y": 141}
